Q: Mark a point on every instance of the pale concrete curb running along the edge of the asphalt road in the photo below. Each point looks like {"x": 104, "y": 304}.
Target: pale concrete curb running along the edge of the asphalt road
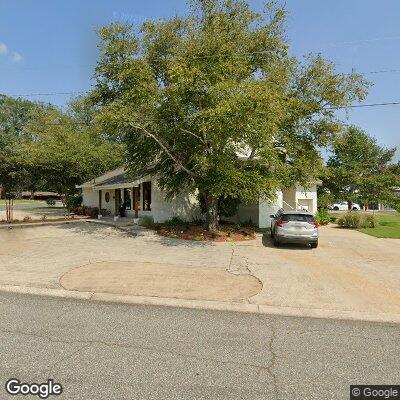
{"x": 361, "y": 316}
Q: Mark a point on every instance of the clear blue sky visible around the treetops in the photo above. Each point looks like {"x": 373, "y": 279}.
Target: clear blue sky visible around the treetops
{"x": 49, "y": 46}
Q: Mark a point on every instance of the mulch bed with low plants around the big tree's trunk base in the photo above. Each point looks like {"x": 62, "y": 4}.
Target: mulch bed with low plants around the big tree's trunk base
{"x": 225, "y": 233}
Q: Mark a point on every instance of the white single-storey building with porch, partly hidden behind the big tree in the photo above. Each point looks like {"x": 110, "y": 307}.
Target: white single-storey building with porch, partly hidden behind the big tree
{"x": 142, "y": 196}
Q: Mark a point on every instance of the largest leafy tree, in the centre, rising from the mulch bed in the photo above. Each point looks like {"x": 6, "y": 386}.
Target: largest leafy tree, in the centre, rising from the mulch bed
{"x": 216, "y": 103}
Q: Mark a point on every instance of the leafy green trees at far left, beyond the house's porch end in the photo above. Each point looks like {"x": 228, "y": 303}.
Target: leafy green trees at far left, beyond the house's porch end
{"x": 43, "y": 148}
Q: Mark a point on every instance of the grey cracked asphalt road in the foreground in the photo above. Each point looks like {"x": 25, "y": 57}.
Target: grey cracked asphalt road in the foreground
{"x": 109, "y": 351}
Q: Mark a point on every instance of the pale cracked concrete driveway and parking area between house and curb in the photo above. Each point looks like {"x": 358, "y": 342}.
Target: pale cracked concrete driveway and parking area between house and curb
{"x": 349, "y": 272}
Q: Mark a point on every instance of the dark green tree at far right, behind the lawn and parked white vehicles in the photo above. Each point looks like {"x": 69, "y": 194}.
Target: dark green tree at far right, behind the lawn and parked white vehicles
{"x": 360, "y": 170}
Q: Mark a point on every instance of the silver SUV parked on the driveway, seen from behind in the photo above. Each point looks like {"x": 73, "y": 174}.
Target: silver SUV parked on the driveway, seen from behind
{"x": 294, "y": 227}
